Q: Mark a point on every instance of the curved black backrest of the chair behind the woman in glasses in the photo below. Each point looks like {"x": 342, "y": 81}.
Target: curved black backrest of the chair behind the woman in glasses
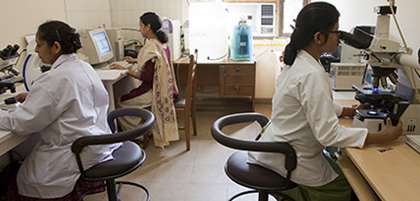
{"x": 252, "y": 145}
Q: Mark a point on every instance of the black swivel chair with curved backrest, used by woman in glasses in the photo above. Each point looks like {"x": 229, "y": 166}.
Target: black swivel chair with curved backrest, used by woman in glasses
{"x": 253, "y": 176}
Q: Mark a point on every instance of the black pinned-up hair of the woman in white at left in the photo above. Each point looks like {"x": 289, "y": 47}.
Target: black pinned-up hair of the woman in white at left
{"x": 57, "y": 31}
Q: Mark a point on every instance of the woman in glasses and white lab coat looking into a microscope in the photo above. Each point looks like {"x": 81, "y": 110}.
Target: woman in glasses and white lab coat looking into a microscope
{"x": 303, "y": 111}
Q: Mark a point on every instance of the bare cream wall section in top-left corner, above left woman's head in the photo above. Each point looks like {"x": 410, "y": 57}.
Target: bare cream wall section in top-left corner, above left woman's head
{"x": 21, "y": 17}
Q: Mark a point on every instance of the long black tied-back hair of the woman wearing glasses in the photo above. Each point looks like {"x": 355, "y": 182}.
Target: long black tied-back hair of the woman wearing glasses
{"x": 314, "y": 17}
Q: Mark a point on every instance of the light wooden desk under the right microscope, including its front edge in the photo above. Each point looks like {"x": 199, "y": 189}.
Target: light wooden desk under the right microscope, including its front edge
{"x": 391, "y": 170}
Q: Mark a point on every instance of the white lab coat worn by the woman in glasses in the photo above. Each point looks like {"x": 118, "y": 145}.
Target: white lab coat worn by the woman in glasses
{"x": 304, "y": 115}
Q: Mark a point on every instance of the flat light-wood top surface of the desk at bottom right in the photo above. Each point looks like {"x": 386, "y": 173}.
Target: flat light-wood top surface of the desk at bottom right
{"x": 392, "y": 170}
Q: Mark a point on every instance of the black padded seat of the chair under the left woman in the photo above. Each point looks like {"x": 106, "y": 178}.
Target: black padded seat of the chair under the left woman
{"x": 126, "y": 159}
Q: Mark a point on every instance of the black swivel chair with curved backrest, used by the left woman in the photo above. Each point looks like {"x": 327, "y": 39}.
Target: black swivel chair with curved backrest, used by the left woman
{"x": 126, "y": 159}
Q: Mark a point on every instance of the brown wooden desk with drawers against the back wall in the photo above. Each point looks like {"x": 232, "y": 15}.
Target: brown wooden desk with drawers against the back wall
{"x": 233, "y": 78}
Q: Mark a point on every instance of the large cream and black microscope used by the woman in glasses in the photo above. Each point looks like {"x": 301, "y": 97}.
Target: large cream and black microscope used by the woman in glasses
{"x": 389, "y": 63}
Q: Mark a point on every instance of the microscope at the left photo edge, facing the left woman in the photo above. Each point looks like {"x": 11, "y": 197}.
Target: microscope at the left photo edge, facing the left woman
{"x": 8, "y": 57}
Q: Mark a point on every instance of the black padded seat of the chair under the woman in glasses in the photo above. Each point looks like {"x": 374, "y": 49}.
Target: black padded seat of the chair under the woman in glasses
{"x": 254, "y": 176}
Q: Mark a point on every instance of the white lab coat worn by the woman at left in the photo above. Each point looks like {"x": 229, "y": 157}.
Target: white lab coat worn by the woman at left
{"x": 64, "y": 104}
